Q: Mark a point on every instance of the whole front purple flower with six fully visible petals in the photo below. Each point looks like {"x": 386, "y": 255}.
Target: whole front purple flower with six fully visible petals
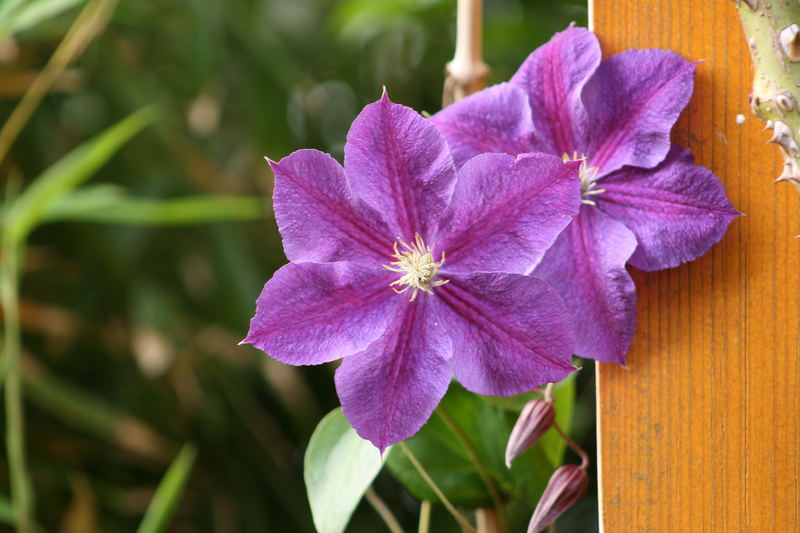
{"x": 369, "y": 280}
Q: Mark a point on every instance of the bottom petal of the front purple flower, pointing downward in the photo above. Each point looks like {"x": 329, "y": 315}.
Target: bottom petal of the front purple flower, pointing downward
{"x": 389, "y": 390}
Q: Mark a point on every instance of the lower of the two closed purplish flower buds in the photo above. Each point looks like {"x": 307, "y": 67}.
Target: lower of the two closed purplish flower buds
{"x": 565, "y": 489}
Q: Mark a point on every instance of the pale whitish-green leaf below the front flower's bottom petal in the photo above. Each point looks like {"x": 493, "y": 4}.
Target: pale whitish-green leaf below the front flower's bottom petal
{"x": 339, "y": 468}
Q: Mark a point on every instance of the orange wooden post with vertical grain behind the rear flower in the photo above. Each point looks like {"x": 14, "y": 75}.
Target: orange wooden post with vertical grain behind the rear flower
{"x": 701, "y": 432}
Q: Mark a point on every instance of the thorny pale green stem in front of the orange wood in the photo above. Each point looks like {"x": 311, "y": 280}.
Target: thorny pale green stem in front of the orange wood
{"x": 772, "y": 30}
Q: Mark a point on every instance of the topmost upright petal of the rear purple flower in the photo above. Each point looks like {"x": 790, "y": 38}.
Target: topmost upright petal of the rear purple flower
{"x": 553, "y": 76}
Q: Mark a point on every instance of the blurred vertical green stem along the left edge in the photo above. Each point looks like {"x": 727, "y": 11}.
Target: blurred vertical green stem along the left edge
{"x": 12, "y": 381}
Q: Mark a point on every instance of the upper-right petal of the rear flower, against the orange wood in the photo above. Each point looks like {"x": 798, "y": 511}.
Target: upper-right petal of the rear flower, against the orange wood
{"x": 632, "y": 101}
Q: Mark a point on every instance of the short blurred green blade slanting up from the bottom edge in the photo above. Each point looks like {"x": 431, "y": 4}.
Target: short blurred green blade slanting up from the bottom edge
{"x": 169, "y": 492}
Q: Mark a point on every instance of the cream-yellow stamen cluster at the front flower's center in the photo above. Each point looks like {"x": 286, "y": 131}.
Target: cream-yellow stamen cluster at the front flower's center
{"x": 415, "y": 263}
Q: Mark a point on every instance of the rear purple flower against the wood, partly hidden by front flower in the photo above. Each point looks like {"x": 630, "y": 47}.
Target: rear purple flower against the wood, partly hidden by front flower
{"x": 644, "y": 200}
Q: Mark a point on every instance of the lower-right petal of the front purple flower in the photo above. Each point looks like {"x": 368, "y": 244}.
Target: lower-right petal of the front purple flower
{"x": 510, "y": 333}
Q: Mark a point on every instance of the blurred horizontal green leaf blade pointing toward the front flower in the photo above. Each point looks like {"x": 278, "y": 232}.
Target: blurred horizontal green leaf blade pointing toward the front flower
{"x": 111, "y": 205}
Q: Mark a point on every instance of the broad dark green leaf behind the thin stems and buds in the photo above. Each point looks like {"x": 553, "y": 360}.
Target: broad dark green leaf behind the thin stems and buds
{"x": 486, "y": 422}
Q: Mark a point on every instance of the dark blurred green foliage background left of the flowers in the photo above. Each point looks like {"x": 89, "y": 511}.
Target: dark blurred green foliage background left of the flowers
{"x": 130, "y": 332}
